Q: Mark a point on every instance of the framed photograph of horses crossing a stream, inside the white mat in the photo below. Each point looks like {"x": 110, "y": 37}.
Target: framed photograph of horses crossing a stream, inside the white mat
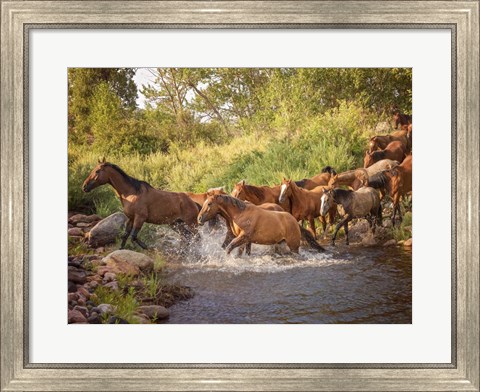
{"x": 239, "y": 195}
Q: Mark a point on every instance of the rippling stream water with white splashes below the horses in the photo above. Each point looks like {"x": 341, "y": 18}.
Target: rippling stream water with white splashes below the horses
{"x": 352, "y": 284}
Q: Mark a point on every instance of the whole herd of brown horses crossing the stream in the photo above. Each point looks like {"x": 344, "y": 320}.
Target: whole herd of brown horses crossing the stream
{"x": 272, "y": 215}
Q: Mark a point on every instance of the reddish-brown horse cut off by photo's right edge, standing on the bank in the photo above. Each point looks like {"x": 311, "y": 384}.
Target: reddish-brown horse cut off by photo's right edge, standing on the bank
{"x": 400, "y": 183}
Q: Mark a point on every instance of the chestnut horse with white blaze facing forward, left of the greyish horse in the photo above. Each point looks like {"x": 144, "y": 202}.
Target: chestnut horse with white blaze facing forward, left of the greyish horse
{"x": 305, "y": 204}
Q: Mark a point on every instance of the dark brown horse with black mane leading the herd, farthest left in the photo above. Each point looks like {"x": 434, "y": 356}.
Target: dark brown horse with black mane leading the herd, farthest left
{"x": 143, "y": 203}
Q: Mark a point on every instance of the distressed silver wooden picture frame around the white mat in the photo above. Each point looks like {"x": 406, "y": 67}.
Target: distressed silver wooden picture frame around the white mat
{"x": 18, "y": 17}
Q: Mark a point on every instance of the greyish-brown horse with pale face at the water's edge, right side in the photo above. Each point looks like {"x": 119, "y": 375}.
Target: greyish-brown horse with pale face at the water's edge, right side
{"x": 363, "y": 203}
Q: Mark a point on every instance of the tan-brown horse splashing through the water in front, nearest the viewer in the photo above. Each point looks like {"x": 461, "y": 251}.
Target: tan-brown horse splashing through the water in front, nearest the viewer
{"x": 251, "y": 224}
